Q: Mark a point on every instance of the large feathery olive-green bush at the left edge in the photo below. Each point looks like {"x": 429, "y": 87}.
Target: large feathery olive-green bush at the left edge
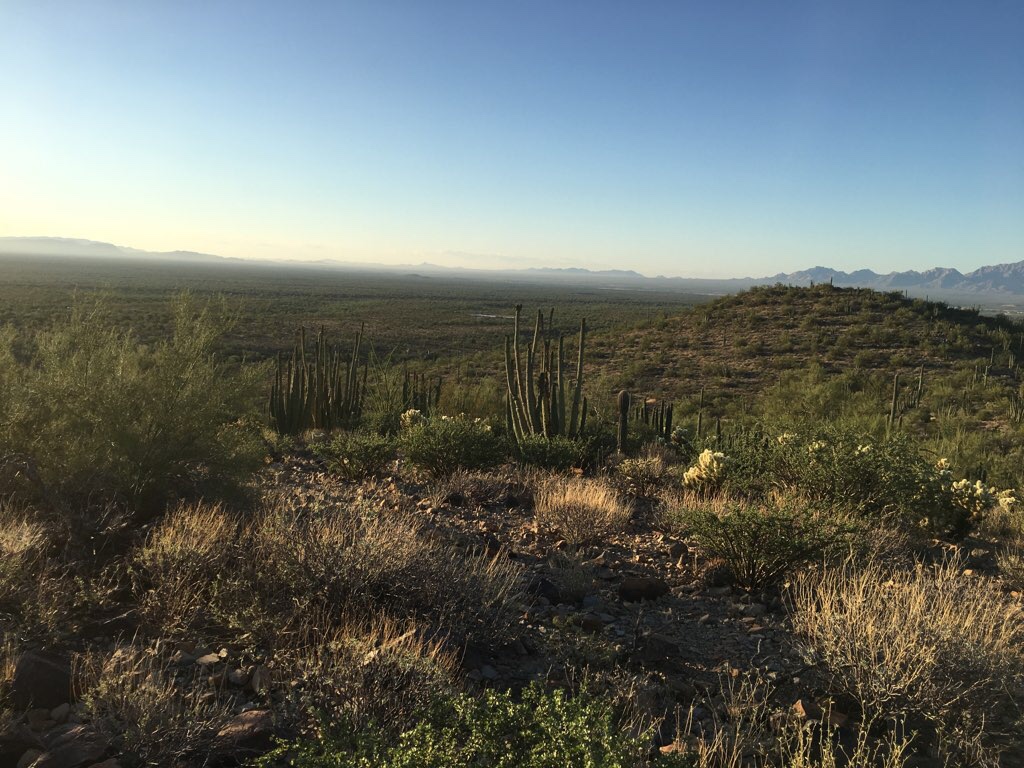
{"x": 101, "y": 414}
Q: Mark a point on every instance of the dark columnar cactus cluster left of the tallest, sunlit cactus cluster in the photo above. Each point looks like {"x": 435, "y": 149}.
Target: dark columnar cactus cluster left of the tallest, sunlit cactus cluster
{"x": 322, "y": 392}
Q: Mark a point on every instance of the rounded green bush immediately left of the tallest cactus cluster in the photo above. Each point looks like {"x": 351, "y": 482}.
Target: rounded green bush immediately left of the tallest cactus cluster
{"x": 443, "y": 445}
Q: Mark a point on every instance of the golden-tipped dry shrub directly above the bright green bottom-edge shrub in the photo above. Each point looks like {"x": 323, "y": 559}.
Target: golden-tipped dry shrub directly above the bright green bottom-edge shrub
{"x": 369, "y": 670}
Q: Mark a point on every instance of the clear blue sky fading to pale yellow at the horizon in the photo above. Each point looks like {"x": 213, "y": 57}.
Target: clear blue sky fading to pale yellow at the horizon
{"x": 706, "y": 139}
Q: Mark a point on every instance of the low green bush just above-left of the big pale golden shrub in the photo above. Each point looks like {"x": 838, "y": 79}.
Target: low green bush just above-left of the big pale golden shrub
{"x": 763, "y": 542}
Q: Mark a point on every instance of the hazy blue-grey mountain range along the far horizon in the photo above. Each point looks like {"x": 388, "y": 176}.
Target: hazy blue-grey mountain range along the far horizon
{"x": 1007, "y": 280}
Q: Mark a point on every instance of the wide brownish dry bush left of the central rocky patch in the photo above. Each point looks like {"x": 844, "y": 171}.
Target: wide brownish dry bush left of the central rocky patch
{"x": 357, "y": 560}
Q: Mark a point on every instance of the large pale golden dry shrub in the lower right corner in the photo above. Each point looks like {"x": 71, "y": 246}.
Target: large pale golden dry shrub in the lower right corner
{"x": 929, "y": 645}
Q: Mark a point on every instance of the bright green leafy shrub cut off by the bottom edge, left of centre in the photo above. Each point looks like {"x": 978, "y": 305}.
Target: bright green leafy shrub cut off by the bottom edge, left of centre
{"x": 542, "y": 731}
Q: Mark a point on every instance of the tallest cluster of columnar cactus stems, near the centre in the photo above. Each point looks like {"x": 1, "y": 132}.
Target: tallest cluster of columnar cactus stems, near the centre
{"x": 537, "y": 401}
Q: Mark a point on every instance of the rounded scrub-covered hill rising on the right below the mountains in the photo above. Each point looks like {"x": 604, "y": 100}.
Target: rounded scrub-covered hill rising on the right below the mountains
{"x": 740, "y": 346}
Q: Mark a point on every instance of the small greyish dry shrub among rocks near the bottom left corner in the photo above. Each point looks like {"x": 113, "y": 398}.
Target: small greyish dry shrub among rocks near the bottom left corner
{"x": 134, "y": 698}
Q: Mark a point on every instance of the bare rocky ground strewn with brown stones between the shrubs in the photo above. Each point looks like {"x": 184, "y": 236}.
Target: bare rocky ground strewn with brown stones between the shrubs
{"x": 644, "y": 611}
